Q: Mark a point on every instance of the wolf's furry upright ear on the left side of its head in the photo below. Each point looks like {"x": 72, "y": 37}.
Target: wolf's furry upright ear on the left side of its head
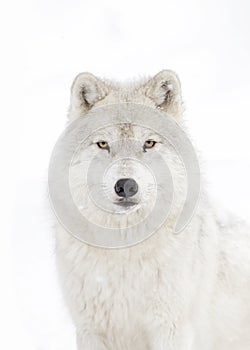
{"x": 86, "y": 90}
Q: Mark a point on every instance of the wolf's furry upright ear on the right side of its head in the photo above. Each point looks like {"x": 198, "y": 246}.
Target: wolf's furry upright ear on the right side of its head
{"x": 165, "y": 90}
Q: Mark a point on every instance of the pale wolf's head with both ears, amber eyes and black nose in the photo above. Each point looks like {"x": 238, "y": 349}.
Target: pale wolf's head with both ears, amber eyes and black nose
{"x": 118, "y": 171}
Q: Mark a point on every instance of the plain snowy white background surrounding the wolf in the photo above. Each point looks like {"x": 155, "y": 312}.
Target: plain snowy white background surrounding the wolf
{"x": 44, "y": 45}
